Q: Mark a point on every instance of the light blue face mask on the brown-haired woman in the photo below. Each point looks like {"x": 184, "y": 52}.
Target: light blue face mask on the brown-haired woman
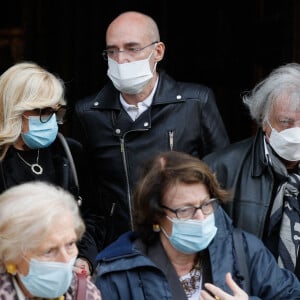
{"x": 192, "y": 236}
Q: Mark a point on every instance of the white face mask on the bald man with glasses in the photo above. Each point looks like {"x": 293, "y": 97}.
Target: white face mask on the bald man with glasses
{"x": 131, "y": 77}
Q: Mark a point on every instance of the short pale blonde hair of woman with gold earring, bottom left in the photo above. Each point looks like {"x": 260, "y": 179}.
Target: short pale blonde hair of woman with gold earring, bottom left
{"x": 27, "y": 214}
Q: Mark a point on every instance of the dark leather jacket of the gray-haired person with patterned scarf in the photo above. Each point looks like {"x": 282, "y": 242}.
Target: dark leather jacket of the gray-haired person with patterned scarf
{"x": 243, "y": 168}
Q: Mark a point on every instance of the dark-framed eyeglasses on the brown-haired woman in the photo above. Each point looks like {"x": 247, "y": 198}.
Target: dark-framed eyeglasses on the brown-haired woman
{"x": 188, "y": 212}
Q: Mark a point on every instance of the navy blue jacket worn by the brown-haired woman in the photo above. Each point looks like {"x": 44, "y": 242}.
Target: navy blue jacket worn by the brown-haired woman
{"x": 128, "y": 271}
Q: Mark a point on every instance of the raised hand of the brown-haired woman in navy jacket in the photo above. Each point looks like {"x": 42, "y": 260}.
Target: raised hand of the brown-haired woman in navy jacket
{"x": 219, "y": 294}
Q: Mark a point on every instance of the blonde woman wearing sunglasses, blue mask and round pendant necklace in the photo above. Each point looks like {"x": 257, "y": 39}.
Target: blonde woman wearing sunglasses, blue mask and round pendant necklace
{"x": 32, "y": 105}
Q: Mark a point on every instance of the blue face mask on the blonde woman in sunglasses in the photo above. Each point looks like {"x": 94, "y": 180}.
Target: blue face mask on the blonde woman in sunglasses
{"x": 40, "y": 135}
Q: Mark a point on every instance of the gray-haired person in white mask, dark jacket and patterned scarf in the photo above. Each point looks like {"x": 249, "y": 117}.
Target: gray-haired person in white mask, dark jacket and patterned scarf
{"x": 263, "y": 171}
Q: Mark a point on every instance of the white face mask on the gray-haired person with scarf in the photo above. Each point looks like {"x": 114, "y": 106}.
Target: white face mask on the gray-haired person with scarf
{"x": 286, "y": 143}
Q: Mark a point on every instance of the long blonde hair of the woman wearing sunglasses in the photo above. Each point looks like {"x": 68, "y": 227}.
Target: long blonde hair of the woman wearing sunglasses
{"x": 25, "y": 86}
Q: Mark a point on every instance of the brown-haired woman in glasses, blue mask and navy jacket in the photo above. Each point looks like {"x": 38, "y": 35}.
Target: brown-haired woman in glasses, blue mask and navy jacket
{"x": 182, "y": 247}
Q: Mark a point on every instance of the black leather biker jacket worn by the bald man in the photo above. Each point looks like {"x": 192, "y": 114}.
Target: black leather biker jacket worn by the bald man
{"x": 182, "y": 117}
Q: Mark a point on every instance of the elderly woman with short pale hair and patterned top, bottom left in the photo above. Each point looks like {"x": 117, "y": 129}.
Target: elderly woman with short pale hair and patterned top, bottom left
{"x": 39, "y": 227}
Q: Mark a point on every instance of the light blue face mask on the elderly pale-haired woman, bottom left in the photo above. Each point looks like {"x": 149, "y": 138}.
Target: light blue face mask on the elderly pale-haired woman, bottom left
{"x": 48, "y": 279}
